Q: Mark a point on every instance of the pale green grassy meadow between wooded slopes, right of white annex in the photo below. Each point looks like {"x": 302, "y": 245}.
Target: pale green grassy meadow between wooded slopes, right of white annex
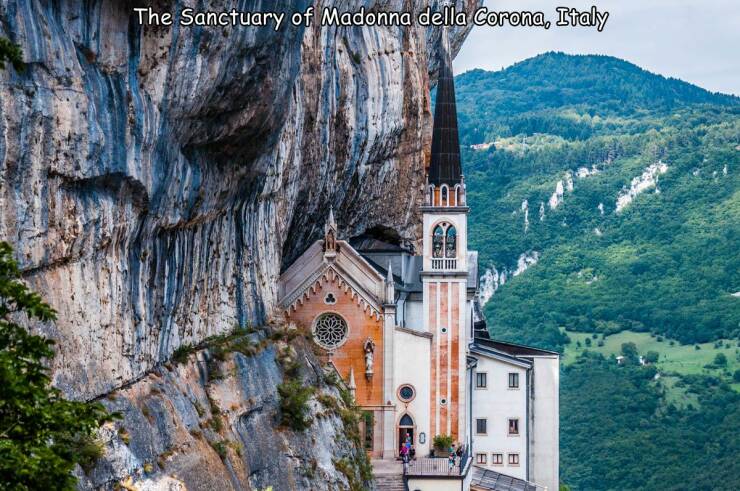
{"x": 675, "y": 358}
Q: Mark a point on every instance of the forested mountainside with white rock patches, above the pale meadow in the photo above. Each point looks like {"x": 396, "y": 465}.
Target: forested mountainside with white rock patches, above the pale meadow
{"x": 664, "y": 260}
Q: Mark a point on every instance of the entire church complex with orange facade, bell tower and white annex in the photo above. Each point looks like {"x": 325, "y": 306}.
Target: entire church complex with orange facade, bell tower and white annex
{"x": 405, "y": 333}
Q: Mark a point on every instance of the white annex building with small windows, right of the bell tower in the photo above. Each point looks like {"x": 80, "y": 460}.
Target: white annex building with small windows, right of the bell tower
{"x": 515, "y": 410}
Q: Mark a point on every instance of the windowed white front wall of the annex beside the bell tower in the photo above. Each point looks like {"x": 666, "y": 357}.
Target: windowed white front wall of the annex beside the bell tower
{"x": 498, "y": 403}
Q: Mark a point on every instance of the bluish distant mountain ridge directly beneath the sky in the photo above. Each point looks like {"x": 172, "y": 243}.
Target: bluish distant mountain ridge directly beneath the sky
{"x": 529, "y": 97}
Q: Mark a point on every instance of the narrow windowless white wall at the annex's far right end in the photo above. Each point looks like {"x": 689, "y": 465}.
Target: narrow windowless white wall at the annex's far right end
{"x": 546, "y": 422}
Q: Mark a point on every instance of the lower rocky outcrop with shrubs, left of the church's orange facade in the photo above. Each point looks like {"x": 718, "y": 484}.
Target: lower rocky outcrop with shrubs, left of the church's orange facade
{"x": 201, "y": 423}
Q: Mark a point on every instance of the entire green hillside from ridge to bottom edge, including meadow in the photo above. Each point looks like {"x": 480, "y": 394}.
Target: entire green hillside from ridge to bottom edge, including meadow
{"x": 606, "y": 199}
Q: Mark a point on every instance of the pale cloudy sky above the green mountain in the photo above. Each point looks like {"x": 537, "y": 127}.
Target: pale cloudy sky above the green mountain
{"x": 695, "y": 40}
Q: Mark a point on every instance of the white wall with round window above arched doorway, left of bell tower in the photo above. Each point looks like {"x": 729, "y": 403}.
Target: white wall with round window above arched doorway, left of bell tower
{"x": 411, "y": 366}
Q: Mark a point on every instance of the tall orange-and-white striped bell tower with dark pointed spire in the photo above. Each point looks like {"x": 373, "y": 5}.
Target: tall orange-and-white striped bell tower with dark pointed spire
{"x": 445, "y": 268}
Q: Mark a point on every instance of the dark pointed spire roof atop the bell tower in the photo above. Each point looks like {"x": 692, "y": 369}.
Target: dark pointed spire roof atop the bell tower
{"x": 445, "y": 165}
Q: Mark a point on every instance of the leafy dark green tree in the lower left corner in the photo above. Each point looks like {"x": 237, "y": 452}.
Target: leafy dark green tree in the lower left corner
{"x": 42, "y": 435}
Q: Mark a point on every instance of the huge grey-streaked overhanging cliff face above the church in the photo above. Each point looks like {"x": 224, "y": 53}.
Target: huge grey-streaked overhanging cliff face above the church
{"x": 155, "y": 180}
